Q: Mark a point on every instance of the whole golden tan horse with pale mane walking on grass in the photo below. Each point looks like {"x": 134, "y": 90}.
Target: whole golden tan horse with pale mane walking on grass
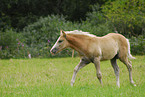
{"x": 94, "y": 49}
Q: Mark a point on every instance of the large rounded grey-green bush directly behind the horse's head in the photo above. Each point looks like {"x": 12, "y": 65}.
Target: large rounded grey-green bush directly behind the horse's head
{"x": 41, "y": 35}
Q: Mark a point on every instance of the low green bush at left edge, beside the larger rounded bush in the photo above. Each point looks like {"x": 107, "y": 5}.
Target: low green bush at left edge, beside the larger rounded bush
{"x": 11, "y": 45}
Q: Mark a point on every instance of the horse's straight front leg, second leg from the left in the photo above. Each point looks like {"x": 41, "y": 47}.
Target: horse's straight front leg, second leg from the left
{"x": 97, "y": 66}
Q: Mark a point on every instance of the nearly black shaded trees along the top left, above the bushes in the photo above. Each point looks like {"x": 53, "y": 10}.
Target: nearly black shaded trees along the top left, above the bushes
{"x": 20, "y": 13}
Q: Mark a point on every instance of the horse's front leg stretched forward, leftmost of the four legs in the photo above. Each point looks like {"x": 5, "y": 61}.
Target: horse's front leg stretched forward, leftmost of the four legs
{"x": 82, "y": 63}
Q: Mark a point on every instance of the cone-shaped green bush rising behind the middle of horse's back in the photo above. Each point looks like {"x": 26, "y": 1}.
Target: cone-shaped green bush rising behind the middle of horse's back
{"x": 96, "y": 22}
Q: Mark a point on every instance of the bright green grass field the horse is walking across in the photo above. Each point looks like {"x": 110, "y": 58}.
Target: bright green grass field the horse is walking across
{"x": 51, "y": 78}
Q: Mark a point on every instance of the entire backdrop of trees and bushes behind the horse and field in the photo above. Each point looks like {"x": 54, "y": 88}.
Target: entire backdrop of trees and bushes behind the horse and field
{"x": 32, "y": 26}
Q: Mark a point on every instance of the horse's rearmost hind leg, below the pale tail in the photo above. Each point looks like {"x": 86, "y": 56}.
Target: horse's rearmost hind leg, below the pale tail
{"x": 129, "y": 67}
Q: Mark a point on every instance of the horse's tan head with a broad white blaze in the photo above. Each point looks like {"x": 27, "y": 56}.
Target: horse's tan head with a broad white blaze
{"x": 60, "y": 44}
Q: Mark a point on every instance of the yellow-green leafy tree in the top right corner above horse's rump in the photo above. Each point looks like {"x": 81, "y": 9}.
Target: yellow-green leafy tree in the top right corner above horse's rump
{"x": 126, "y": 16}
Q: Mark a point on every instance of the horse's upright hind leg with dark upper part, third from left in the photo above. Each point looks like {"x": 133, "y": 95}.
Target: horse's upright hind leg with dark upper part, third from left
{"x": 116, "y": 70}
